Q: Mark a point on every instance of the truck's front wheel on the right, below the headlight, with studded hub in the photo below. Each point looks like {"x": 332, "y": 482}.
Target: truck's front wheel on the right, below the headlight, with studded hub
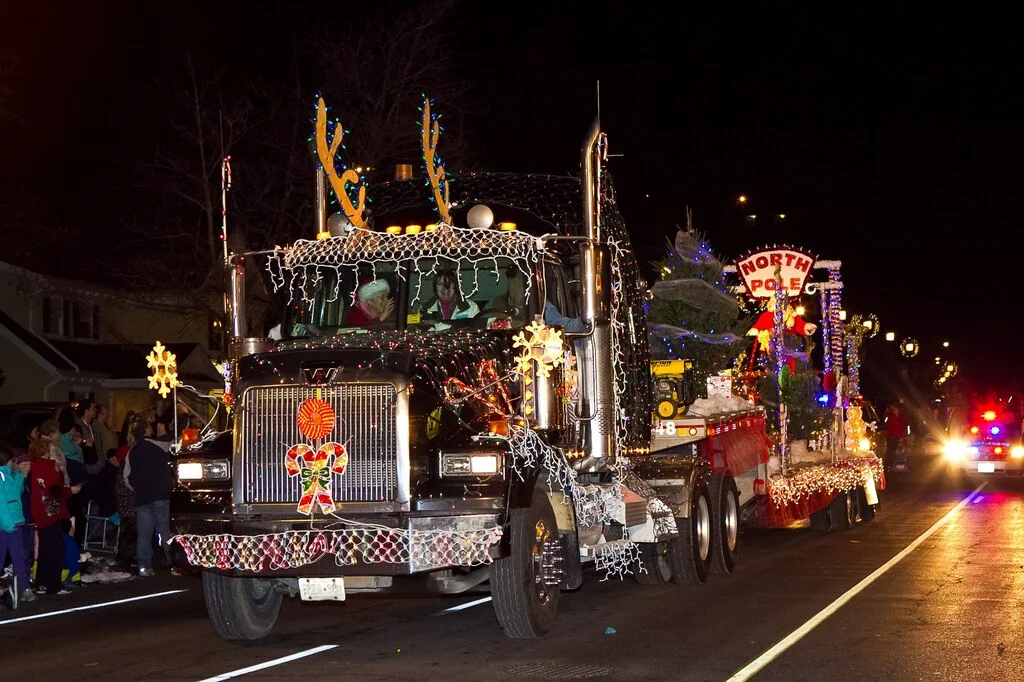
{"x": 525, "y": 585}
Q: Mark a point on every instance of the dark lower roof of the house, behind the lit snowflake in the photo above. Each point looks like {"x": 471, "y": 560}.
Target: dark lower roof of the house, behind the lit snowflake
{"x": 127, "y": 361}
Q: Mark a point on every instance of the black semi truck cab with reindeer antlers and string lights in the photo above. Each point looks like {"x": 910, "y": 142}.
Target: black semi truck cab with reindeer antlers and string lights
{"x": 458, "y": 399}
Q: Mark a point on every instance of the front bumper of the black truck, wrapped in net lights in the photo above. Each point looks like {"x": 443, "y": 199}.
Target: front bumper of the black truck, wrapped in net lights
{"x": 367, "y": 546}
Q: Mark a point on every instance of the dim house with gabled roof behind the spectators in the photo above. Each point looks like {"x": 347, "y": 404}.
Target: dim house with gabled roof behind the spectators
{"x": 65, "y": 340}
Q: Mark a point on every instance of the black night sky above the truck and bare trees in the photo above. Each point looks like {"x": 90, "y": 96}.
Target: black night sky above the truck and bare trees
{"x": 889, "y": 137}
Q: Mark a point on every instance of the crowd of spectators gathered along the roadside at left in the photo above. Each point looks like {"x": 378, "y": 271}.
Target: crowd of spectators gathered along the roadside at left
{"x": 74, "y": 465}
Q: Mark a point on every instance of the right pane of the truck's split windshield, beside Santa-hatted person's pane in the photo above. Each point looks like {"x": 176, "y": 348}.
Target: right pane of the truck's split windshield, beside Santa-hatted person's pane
{"x": 489, "y": 295}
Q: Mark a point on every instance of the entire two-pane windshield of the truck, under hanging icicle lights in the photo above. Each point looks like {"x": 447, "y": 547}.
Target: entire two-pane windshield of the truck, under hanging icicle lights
{"x": 455, "y": 295}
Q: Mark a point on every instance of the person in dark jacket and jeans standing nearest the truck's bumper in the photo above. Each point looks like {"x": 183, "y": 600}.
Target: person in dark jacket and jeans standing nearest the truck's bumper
{"x": 147, "y": 472}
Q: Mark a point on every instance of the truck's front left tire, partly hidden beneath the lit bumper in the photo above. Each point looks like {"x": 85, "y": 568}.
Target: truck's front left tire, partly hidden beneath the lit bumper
{"x": 241, "y": 608}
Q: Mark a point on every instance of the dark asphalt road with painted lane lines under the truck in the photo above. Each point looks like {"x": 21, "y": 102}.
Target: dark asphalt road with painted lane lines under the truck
{"x": 945, "y": 606}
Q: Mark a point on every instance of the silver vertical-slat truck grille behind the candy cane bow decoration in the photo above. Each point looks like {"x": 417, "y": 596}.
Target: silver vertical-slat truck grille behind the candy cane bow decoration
{"x": 365, "y": 423}
